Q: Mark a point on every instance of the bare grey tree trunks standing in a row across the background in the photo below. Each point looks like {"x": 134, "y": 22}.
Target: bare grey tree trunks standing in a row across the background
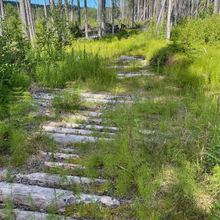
{"x": 109, "y": 12}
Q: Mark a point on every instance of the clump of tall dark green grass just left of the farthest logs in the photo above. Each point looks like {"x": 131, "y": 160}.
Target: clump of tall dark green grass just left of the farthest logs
{"x": 82, "y": 66}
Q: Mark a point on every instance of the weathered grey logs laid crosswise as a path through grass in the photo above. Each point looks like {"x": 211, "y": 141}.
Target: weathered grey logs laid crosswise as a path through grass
{"x": 37, "y": 190}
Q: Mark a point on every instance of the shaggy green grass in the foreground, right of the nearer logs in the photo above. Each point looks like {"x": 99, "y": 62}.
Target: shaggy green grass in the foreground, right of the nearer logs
{"x": 164, "y": 158}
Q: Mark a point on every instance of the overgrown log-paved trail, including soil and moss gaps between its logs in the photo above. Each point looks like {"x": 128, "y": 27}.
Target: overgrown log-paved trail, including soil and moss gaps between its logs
{"x": 35, "y": 189}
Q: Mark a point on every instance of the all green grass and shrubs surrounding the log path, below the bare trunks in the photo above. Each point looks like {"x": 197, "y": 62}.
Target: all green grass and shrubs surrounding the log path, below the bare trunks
{"x": 168, "y": 145}
